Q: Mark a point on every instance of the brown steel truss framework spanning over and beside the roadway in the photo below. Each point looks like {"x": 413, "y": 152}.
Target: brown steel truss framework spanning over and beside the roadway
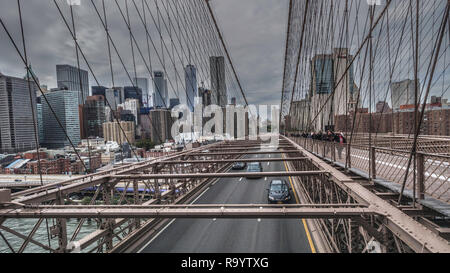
{"x": 130, "y": 202}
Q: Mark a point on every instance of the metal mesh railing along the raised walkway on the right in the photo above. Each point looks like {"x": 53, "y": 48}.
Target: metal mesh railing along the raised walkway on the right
{"x": 432, "y": 175}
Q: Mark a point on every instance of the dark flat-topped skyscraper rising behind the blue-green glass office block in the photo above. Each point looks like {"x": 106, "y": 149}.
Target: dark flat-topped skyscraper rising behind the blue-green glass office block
{"x": 68, "y": 78}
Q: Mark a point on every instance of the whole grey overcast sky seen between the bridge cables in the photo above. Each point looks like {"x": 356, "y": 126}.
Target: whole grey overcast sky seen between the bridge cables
{"x": 255, "y": 32}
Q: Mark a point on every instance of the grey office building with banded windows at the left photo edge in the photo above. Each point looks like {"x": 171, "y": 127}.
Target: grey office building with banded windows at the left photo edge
{"x": 16, "y": 119}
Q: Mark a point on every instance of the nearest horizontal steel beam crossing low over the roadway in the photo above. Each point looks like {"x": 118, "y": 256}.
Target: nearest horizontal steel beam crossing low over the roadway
{"x": 192, "y": 212}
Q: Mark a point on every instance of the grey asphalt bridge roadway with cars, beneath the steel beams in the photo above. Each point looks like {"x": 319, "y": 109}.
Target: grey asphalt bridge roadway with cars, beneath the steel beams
{"x": 234, "y": 235}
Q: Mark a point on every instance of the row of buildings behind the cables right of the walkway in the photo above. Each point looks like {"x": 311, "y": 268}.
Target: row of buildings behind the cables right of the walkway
{"x": 329, "y": 73}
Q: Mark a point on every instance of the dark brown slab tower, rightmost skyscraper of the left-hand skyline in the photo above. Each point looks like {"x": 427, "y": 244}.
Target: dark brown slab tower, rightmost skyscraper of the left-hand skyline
{"x": 218, "y": 84}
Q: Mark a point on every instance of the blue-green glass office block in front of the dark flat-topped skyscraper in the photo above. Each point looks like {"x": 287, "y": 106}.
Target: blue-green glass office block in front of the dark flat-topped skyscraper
{"x": 65, "y": 104}
